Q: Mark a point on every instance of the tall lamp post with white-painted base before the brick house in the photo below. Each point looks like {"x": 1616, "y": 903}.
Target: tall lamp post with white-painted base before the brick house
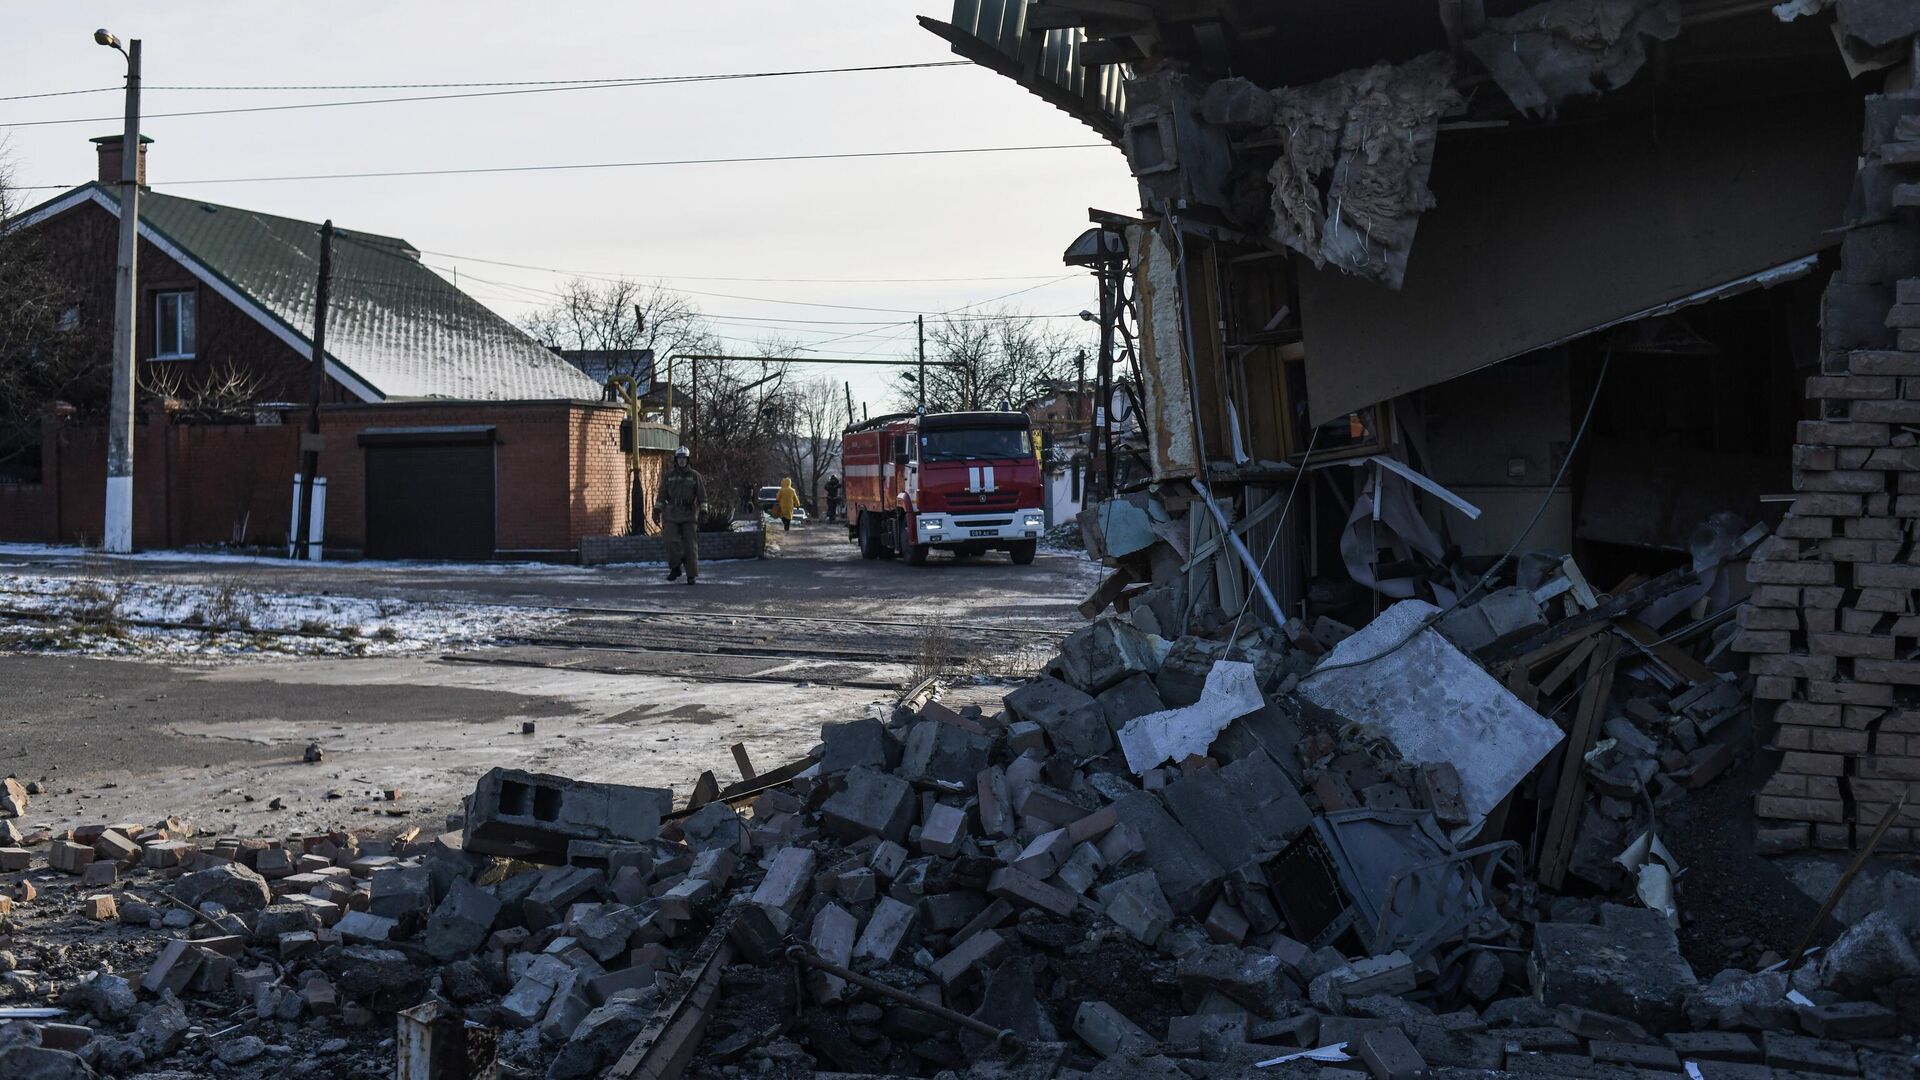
{"x": 118, "y": 531}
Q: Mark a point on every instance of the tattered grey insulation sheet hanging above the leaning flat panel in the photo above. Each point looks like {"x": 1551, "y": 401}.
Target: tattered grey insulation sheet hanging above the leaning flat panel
{"x": 1366, "y": 139}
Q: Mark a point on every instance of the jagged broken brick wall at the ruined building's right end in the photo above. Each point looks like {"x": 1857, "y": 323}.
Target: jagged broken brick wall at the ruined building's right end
{"x": 1836, "y": 593}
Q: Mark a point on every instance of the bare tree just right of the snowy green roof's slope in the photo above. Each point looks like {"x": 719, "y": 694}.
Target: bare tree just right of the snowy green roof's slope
{"x": 602, "y": 316}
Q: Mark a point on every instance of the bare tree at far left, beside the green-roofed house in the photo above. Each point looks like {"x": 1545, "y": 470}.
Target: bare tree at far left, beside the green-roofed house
{"x": 53, "y": 351}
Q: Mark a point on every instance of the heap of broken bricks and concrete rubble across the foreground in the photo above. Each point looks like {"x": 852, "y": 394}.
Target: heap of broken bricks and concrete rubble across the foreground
{"x": 1161, "y": 860}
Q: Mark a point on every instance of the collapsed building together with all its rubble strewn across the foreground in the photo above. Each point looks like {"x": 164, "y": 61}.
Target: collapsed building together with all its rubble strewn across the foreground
{"x": 1520, "y": 403}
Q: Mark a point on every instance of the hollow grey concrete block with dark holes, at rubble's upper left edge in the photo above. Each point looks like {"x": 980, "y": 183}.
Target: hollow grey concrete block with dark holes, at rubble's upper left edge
{"x": 535, "y": 816}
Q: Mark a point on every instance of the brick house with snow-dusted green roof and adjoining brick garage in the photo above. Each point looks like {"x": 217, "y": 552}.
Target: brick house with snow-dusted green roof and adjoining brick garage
{"x": 448, "y": 431}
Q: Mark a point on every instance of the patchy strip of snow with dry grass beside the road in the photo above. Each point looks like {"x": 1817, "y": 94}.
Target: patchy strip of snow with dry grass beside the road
{"x": 105, "y": 612}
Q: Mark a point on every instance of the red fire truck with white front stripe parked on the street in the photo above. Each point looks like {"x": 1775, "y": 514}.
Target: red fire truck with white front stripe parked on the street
{"x": 959, "y": 481}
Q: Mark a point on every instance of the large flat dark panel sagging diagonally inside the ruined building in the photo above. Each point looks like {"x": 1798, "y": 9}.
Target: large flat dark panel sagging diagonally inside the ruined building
{"x": 1606, "y": 222}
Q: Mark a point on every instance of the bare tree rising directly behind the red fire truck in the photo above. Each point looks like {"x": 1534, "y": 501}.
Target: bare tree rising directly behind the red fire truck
{"x": 996, "y": 362}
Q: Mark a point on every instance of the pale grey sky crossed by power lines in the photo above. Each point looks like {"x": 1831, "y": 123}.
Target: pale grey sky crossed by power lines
{"x": 999, "y": 220}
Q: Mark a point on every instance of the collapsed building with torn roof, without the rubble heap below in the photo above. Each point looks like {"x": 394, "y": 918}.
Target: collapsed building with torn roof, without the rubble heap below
{"x": 1416, "y": 287}
